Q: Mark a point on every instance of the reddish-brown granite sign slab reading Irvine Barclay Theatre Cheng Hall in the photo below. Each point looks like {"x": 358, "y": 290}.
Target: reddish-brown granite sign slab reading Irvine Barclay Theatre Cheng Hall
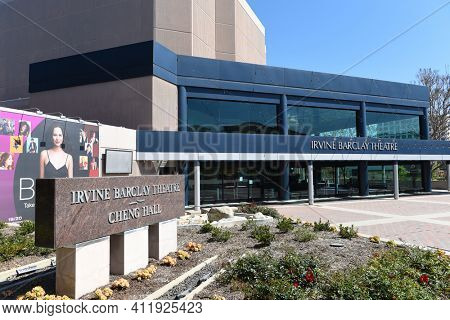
{"x": 71, "y": 211}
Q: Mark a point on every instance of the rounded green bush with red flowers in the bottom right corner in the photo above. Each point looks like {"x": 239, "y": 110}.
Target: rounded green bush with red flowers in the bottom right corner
{"x": 400, "y": 274}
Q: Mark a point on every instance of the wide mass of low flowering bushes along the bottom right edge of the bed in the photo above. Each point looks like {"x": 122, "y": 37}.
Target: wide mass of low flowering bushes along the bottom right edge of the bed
{"x": 395, "y": 274}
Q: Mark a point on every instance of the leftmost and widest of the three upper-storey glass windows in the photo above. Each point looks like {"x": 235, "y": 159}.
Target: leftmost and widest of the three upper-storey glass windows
{"x": 232, "y": 117}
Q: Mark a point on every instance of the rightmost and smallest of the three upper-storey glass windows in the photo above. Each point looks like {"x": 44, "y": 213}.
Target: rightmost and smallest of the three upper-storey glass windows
{"x": 393, "y": 126}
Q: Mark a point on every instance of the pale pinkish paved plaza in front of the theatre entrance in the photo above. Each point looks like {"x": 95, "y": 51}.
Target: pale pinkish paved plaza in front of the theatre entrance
{"x": 420, "y": 220}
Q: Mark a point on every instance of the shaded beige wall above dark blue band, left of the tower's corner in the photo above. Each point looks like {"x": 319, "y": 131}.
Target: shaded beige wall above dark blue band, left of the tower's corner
{"x": 40, "y": 30}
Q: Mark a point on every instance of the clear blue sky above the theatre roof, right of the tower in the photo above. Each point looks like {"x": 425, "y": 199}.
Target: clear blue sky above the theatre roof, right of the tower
{"x": 331, "y": 36}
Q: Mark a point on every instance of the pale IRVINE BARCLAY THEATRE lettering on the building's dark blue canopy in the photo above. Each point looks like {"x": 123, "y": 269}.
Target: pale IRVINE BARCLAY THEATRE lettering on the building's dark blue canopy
{"x": 354, "y": 146}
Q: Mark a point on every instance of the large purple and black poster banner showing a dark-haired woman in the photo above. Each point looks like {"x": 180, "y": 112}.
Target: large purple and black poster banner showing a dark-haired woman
{"x": 24, "y": 139}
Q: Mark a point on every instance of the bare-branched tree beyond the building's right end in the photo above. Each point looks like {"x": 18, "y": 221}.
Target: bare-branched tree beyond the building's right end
{"x": 439, "y": 112}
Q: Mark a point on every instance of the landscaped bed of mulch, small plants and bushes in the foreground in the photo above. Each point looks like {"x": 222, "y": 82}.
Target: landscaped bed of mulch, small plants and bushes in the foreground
{"x": 285, "y": 260}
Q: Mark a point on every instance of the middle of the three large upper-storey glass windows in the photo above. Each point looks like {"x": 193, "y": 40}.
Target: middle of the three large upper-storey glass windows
{"x": 322, "y": 122}
